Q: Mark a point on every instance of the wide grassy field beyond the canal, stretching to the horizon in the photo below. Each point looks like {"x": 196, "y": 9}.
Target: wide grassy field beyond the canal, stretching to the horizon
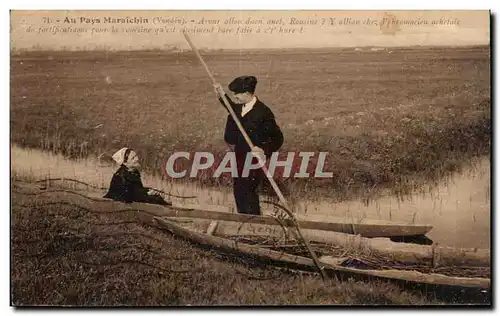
{"x": 393, "y": 119}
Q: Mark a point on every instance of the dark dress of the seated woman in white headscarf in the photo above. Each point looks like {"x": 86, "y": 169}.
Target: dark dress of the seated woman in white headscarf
{"x": 126, "y": 186}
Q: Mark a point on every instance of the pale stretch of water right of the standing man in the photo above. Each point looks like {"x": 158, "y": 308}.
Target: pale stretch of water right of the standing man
{"x": 459, "y": 210}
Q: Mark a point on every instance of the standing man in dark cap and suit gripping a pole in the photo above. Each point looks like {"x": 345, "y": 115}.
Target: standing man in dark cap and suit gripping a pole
{"x": 259, "y": 123}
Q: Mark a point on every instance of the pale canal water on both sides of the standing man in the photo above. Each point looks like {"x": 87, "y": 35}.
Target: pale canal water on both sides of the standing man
{"x": 459, "y": 210}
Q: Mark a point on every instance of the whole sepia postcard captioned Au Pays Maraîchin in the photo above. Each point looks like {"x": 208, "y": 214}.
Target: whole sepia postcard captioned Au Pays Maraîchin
{"x": 243, "y": 158}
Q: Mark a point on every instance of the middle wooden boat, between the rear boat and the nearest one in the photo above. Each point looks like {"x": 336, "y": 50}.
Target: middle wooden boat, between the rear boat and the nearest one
{"x": 405, "y": 253}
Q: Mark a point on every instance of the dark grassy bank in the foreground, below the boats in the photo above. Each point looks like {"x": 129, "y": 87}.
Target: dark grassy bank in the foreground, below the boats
{"x": 73, "y": 255}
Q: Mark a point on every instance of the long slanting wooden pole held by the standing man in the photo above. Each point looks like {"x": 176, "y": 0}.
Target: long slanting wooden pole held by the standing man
{"x": 264, "y": 168}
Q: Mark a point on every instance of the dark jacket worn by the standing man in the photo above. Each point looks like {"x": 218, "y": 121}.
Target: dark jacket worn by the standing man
{"x": 260, "y": 125}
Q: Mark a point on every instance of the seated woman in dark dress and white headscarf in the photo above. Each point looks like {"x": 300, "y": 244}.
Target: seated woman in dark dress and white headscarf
{"x": 126, "y": 184}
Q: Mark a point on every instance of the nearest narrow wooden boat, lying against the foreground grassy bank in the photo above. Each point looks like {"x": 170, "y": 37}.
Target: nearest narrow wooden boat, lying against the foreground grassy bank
{"x": 328, "y": 262}
